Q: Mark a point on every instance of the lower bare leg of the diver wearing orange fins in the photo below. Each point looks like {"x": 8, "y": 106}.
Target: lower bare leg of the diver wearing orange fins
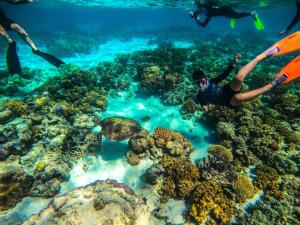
{"x": 242, "y": 97}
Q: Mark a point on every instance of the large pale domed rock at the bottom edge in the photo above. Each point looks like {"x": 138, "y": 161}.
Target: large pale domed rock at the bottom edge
{"x": 97, "y": 203}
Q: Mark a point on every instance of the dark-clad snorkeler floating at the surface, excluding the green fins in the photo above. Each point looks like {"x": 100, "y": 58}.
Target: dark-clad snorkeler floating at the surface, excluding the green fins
{"x": 210, "y": 10}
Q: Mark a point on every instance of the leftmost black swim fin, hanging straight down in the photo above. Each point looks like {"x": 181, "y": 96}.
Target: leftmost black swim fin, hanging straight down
{"x": 12, "y": 59}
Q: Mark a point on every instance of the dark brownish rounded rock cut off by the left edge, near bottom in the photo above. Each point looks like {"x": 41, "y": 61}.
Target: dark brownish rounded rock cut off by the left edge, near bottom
{"x": 14, "y": 184}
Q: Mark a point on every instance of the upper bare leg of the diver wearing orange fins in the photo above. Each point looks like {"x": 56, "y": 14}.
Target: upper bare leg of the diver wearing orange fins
{"x": 236, "y": 83}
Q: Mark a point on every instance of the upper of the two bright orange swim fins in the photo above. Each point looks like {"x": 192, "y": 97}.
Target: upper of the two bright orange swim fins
{"x": 288, "y": 44}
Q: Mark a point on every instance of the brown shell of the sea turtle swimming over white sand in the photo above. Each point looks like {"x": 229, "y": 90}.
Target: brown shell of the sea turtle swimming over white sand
{"x": 119, "y": 128}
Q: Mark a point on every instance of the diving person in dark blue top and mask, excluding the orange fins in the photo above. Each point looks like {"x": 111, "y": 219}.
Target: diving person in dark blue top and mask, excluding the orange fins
{"x": 230, "y": 95}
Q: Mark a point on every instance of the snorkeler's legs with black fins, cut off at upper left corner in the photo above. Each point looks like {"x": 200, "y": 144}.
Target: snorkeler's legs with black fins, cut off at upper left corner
{"x": 7, "y": 24}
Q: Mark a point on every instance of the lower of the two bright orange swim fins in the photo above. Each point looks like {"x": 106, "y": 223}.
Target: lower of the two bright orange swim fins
{"x": 291, "y": 70}
